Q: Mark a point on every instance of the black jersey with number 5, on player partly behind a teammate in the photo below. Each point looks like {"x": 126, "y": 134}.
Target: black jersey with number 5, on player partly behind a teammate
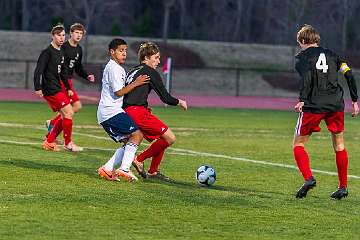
{"x": 73, "y": 58}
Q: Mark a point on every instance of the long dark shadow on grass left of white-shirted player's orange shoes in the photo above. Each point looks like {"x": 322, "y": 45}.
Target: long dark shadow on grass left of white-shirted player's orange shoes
{"x": 49, "y": 167}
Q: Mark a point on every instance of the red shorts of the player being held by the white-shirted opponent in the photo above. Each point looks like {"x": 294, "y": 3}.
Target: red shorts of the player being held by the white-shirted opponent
{"x": 151, "y": 127}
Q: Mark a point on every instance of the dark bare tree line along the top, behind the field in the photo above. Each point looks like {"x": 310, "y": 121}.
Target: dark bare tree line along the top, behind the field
{"x": 246, "y": 21}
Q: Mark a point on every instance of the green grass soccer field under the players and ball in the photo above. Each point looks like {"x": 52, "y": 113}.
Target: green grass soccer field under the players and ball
{"x": 47, "y": 195}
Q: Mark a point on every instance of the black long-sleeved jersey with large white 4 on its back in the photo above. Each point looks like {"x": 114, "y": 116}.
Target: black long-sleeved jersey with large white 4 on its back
{"x": 319, "y": 85}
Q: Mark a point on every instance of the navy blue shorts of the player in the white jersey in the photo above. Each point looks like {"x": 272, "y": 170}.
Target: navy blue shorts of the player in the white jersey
{"x": 119, "y": 127}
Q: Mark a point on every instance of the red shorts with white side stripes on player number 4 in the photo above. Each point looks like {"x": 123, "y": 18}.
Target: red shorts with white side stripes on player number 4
{"x": 309, "y": 122}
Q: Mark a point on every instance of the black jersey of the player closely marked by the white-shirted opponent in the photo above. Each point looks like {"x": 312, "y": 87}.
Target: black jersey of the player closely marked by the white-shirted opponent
{"x": 139, "y": 95}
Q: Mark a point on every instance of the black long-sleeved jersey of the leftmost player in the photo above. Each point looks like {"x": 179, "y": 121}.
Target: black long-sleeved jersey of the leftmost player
{"x": 48, "y": 71}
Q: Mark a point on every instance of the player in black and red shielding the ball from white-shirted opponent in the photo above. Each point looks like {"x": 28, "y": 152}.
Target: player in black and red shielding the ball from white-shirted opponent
{"x": 136, "y": 105}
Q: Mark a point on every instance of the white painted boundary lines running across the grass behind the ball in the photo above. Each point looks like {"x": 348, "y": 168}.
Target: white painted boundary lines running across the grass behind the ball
{"x": 177, "y": 151}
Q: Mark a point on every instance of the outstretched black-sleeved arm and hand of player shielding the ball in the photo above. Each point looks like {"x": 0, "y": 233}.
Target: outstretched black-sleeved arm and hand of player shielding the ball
{"x": 158, "y": 86}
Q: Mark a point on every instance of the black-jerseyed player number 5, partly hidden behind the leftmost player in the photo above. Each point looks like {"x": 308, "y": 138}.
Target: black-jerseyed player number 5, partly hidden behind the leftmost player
{"x": 73, "y": 57}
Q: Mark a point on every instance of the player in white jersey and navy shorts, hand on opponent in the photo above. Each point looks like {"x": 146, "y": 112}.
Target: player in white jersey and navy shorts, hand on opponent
{"x": 113, "y": 118}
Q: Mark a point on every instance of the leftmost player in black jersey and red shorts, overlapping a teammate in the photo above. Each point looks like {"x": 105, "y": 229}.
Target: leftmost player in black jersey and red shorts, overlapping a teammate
{"x": 47, "y": 77}
